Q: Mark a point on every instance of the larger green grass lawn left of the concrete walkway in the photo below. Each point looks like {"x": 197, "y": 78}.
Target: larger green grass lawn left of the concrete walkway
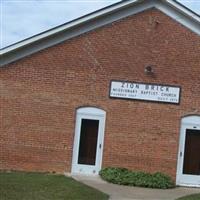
{"x": 41, "y": 186}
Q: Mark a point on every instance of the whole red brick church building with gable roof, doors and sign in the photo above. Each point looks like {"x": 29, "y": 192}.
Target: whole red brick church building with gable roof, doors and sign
{"x": 119, "y": 87}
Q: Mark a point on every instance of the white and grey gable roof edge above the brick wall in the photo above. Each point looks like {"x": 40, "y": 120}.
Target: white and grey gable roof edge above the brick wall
{"x": 95, "y": 20}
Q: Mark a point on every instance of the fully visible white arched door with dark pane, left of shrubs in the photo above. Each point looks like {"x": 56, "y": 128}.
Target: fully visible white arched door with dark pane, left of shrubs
{"x": 88, "y": 141}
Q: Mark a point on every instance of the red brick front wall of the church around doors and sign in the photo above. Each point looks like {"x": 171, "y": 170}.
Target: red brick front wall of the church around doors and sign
{"x": 40, "y": 95}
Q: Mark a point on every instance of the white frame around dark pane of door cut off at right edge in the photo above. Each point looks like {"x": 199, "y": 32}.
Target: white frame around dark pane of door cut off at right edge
{"x": 189, "y": 122}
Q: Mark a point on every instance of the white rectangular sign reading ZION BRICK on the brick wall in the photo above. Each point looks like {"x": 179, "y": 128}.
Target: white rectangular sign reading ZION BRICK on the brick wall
{"x": 144, "y": 91}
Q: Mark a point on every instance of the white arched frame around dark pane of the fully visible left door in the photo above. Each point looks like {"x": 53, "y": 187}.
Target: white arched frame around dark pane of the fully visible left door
{"x": 93, "y": 114}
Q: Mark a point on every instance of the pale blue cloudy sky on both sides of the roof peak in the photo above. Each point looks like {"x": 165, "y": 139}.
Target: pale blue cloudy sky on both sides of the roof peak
{"x": 21, "y": 19}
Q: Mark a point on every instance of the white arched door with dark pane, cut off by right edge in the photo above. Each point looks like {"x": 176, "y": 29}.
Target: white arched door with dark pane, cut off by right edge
{"x": 188, "y": 168}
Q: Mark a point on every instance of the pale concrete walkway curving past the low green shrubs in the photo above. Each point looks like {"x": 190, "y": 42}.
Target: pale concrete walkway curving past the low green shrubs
{"x": 118, "y": 192}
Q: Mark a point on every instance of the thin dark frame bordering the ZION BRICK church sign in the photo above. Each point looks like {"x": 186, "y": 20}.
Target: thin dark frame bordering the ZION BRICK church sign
{"x": 146, "y": 100}
